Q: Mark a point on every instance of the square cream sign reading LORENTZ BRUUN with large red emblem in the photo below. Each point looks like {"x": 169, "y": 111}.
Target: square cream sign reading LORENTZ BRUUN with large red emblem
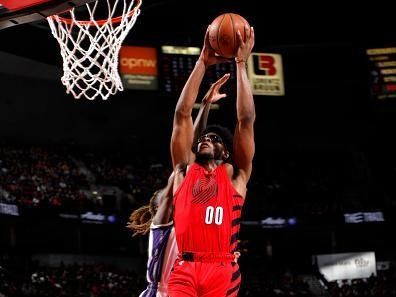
{"x": 266, "y": 74}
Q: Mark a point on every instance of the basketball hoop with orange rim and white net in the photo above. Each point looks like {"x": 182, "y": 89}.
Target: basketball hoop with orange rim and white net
{"x": 90, "y": 47}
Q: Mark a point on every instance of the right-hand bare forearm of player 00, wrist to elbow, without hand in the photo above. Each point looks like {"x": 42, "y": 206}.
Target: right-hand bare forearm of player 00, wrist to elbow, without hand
{"x": 245, "y": 105}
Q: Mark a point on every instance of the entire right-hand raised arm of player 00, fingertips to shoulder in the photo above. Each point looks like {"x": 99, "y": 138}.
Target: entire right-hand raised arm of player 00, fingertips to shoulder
{"x": 244, "y": 146}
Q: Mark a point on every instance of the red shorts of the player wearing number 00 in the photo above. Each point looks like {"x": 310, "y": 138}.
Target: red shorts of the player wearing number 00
{"x": 209, "y": 278}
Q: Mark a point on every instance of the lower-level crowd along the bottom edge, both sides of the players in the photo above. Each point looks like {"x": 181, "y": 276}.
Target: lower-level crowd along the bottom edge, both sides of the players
{"x": 30, "y": 279}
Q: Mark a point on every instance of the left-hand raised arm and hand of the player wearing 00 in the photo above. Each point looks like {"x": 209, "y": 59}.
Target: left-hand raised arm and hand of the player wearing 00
{"x": 182, "y": 133}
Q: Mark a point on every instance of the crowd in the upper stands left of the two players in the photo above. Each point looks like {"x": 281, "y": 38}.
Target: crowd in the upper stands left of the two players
{"x": 43, "y": 177}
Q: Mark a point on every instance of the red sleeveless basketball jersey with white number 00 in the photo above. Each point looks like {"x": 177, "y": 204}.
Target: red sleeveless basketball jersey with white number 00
{"x": 207, "y": 211}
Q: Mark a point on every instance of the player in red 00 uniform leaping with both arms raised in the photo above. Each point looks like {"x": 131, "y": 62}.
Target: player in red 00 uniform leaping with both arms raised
{"x": 209, "y": 192}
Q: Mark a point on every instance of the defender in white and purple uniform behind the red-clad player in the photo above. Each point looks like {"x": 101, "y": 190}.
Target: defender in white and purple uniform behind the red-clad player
{"x": 157, "y": 216}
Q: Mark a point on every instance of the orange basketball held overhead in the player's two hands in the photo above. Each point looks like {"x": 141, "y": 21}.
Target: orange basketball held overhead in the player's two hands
{"x": 223, "y": 33}
